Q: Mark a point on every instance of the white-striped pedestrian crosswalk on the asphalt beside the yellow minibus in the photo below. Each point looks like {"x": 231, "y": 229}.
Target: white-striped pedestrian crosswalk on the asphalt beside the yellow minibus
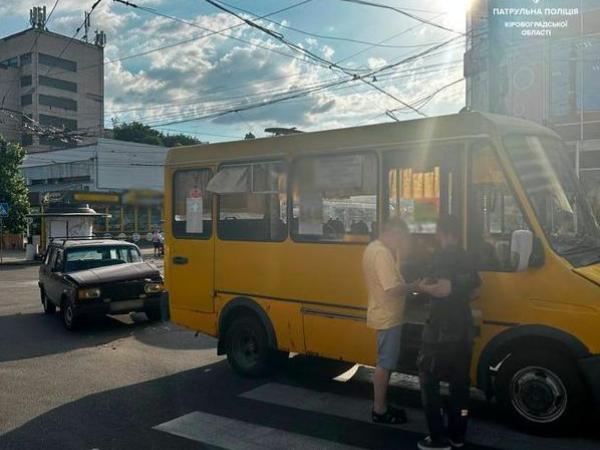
{"x": 235, "y": 434}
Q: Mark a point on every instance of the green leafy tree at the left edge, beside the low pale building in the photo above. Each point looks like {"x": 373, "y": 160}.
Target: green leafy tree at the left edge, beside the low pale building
{"x": 13, "y": 189}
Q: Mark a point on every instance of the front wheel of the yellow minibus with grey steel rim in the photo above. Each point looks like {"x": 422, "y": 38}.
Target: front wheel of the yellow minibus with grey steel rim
{"x": 541, "y": 392}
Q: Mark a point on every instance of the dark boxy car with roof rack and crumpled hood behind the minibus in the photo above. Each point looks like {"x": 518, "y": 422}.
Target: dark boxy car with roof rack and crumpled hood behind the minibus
{"x": 93, "y": 277}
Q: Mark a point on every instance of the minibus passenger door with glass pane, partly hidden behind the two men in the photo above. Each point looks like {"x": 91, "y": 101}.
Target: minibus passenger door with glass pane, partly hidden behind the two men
{"x": 422, "y": 184}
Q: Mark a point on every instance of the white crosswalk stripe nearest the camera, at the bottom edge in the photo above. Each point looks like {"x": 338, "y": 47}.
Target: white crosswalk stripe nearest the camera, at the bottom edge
{"x": 235, "y": 434}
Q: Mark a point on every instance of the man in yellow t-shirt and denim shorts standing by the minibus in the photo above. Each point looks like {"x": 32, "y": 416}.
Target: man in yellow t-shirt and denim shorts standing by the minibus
{"x": 387, "y": 290}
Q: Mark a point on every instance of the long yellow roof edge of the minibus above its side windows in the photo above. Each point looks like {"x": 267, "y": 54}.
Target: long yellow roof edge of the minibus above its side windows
{"x": 380, "y": 136}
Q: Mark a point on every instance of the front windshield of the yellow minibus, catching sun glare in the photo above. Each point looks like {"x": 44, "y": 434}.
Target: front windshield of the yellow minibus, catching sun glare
{"x": 546, "y": 175}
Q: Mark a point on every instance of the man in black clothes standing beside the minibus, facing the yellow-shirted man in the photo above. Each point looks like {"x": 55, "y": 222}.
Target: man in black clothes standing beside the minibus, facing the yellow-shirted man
{"x": 451, "y": 284}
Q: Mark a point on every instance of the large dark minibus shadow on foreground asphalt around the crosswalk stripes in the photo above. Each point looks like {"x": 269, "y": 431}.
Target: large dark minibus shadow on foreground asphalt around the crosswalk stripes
{"x": 123, "y": 418}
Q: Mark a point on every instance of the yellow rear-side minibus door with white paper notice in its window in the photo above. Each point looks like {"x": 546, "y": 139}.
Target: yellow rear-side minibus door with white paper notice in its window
{"x": 190, "y": 274}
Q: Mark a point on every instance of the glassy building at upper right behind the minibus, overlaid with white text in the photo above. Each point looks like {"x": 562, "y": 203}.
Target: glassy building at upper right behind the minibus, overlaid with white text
{"x": 540, "y": 60}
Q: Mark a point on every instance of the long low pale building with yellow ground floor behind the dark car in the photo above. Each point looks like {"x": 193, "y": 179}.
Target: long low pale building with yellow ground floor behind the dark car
{"x": 119, "y": 178}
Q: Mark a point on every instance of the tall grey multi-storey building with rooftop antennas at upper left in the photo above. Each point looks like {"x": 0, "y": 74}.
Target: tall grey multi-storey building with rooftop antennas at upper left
{"x": 51, "y": 81}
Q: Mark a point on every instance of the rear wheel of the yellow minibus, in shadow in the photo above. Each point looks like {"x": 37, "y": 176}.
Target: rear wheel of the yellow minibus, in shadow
{"x": 247, "y": 347}
